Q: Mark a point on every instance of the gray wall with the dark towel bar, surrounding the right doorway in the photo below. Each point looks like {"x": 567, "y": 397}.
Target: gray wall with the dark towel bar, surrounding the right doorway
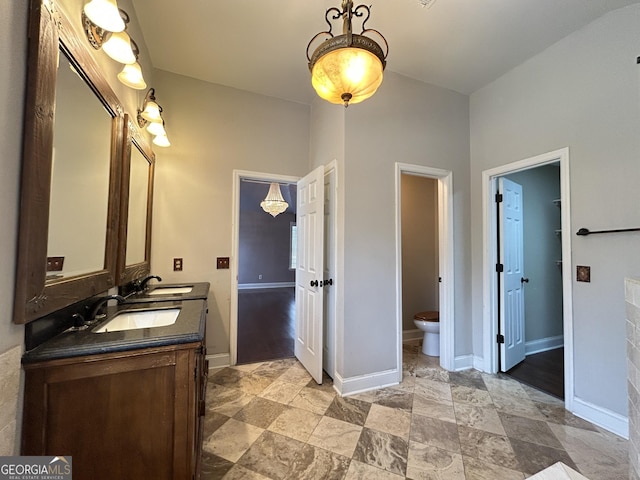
{"x": 581, "y": 93}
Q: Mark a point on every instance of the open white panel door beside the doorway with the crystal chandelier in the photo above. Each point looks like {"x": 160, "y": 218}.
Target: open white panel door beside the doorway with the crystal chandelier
{"x": 309, "y": 272}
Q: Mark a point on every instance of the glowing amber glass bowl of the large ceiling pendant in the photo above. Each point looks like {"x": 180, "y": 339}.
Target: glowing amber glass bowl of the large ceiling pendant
{"x": 347, "y": 75}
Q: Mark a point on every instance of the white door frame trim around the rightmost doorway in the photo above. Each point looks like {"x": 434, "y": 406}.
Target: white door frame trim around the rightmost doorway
{"x": 490, "y": 259}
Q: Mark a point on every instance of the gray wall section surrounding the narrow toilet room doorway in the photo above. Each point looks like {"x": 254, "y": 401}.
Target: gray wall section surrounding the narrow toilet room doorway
{"x": 411, "y": 122}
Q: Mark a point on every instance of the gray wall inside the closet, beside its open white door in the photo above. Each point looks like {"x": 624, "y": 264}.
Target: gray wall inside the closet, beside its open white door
{"x": 542, "y": 248}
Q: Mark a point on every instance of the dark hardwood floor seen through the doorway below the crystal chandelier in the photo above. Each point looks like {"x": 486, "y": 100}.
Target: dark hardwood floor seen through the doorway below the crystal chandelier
{"x": 265, "y": 324}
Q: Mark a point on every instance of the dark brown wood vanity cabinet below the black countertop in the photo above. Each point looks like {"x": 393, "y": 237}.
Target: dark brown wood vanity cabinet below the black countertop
{"x": 126, "y": 415}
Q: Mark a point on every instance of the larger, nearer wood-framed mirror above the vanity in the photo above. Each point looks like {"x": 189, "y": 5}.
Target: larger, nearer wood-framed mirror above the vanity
{"x": 71, "y": 171}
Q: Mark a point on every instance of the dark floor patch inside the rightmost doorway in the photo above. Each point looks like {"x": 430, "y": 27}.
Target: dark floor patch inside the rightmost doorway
{"x": 544, "y": 371}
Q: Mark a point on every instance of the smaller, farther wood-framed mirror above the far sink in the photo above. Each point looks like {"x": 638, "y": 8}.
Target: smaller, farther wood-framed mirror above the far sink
{"x": 136, "y": 207}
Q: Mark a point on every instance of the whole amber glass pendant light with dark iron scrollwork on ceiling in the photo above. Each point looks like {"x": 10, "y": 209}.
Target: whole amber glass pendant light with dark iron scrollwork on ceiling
{"x": 347, "y": 68}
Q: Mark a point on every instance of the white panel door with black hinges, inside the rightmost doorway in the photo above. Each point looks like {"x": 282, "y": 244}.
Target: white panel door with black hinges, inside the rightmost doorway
{"x": 512, "y": 350}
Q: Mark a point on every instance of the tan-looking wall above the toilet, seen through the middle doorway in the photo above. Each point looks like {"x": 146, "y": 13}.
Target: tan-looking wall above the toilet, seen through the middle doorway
{"x": 419, "y": 202}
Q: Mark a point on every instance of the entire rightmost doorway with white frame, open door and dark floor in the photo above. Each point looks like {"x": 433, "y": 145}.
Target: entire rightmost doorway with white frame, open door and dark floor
{"x": 527, "y": 277}
